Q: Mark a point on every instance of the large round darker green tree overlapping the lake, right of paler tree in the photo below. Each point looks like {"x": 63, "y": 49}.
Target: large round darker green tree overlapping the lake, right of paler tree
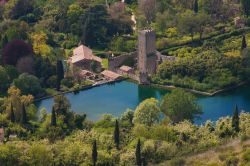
{"x": 180, "y": 105}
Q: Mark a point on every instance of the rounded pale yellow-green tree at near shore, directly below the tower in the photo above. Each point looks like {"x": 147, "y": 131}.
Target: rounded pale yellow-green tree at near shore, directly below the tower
{"x": 147, "y": 112}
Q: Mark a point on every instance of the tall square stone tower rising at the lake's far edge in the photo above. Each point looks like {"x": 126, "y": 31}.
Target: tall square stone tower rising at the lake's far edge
{"x": 147, "y": 55}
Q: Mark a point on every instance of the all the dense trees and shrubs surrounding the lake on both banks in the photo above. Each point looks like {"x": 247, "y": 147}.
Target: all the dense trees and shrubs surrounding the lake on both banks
{"x": 38, "y": 35}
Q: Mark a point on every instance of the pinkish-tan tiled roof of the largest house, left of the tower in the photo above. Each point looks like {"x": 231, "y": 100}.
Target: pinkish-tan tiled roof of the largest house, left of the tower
{"x": 82, "y": 52}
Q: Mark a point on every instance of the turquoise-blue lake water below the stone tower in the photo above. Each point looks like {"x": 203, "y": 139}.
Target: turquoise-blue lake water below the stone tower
{"x": 116, "y": 98}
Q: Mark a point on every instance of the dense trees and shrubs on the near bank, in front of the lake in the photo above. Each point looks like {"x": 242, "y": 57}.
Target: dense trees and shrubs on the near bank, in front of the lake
{"x": 155, "y": 132}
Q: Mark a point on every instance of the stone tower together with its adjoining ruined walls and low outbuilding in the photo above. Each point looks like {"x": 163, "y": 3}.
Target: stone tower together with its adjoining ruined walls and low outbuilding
{"x": 146, "y": 59}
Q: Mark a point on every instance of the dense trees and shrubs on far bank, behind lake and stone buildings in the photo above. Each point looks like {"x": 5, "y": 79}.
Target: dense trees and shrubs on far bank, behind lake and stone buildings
{"x": 202, "y": 35}
